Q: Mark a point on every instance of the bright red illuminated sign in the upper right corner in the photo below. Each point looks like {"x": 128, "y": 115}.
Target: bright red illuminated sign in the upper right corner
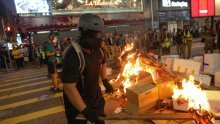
{"x": 202, "y": 8}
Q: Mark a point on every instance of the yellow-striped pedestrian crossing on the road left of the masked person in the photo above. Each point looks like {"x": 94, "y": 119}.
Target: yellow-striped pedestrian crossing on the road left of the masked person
{"x": 25, "y": 96}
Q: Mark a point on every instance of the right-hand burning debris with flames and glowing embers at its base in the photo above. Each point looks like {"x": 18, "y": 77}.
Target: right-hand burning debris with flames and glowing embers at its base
{"x": 191, "y": 98}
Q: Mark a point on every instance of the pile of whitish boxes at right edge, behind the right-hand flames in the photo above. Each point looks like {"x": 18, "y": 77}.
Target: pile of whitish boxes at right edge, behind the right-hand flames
{"x": 201, "y": 67}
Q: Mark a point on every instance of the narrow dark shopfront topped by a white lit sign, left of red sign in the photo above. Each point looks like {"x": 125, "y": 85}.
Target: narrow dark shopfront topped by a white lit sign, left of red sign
{"x": 173, "y": 13}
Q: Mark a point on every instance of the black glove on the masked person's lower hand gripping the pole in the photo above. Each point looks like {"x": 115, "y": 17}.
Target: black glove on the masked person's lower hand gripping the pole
{"x": 90, "y": 115}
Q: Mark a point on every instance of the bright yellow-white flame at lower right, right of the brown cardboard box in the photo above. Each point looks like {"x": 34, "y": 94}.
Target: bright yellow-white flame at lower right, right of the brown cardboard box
{"x": 193, "y": 94}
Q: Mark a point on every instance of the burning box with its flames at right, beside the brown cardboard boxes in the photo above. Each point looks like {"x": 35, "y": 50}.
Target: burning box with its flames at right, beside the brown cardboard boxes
{"x": 190, "y": 96}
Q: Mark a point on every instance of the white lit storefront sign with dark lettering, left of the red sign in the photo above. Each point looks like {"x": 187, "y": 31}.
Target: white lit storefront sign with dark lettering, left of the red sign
{"x": 169, "y": 3}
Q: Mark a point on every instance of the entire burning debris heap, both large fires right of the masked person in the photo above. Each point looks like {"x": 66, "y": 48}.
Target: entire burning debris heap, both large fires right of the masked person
{"x": 187, "y": 97}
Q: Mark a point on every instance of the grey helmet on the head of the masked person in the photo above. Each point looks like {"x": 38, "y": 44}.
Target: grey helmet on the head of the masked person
{"x": 92, "y": 22}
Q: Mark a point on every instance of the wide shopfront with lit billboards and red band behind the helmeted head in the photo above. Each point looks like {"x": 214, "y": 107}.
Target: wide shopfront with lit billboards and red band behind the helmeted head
{"x": 64, "y": 14}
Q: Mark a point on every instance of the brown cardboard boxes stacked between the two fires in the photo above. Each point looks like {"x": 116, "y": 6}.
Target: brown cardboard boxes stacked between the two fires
{"x": 145, "y": 95}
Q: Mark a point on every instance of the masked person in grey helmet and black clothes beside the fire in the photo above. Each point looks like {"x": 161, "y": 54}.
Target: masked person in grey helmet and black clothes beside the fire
{"x": 82, "y": 93}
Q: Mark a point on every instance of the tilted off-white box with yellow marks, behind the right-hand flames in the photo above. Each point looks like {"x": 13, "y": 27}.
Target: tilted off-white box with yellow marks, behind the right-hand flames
{"x": 186, "y": 66}
